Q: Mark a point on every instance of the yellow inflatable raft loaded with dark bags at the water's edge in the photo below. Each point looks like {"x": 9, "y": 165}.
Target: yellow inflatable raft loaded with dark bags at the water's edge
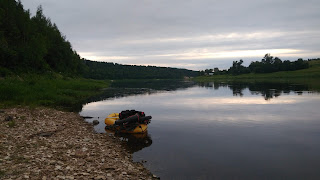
{"x": 128, "y": 122}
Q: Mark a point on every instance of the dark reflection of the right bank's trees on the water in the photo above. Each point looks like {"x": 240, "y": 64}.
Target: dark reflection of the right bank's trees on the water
{"x": 268, "y": 90}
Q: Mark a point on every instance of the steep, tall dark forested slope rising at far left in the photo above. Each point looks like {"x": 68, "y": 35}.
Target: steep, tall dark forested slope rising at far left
{"x": 33, "y": 44}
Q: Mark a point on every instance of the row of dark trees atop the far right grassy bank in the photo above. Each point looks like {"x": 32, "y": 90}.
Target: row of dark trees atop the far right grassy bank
{"x": 268, "y": 64}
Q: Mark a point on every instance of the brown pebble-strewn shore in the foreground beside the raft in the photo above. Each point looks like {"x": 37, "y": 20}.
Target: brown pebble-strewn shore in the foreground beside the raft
{"x": 41, "y": 143}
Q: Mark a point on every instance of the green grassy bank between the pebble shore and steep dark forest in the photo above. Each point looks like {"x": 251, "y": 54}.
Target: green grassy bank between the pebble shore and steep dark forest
{"x": 47, "y": 90}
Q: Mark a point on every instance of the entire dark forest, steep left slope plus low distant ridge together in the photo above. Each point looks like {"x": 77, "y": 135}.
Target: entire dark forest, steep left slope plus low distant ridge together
{"x": 35, "y": 45}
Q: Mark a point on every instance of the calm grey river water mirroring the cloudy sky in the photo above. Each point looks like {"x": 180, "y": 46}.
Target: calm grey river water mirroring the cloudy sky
{"x": 224, "y": 131}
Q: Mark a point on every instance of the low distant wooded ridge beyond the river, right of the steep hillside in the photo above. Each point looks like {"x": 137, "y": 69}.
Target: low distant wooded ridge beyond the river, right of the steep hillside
{"x": 102, "y": 70}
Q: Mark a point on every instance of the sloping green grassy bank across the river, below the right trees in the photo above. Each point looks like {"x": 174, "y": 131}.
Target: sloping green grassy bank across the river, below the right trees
{"x": 311, "y": 73}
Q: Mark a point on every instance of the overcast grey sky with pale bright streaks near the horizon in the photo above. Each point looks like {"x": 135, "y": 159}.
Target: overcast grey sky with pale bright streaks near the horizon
{"x": 192, "y": 34}
